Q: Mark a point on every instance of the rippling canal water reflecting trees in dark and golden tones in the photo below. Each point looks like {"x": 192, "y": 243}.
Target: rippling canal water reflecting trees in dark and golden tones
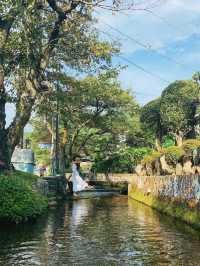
{"x": 103, "y": 231}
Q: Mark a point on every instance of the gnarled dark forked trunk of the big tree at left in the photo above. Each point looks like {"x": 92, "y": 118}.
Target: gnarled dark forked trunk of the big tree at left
{"x": 10, "y": 137}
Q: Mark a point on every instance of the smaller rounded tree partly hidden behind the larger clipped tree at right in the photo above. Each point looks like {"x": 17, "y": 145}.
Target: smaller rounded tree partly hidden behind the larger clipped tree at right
{"x": 151, "y": 121}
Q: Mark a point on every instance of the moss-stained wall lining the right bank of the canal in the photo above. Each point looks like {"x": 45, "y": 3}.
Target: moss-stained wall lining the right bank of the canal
{"x": 178, "y": 196}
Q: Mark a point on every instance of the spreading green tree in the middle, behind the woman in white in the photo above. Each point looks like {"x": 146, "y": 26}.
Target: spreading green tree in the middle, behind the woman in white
{"x": 95, "y": 114}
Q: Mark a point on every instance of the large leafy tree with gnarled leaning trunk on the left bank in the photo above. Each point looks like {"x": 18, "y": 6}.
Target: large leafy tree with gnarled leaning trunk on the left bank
{"x": 36, "y": 37}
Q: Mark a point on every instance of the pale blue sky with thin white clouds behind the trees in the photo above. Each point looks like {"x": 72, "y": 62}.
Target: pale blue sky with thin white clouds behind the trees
{"x": 164, "y": 41}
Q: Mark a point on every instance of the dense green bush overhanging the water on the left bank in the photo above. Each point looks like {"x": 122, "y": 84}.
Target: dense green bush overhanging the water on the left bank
{"x": 19, "y": 201}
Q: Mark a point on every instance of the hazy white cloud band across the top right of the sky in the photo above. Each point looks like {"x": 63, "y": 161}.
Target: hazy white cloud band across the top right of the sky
{"x": 171, "y": 21}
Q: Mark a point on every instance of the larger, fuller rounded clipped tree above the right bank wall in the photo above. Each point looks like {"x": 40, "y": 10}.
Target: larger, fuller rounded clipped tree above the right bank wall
{"x": 177, "y": 109}
